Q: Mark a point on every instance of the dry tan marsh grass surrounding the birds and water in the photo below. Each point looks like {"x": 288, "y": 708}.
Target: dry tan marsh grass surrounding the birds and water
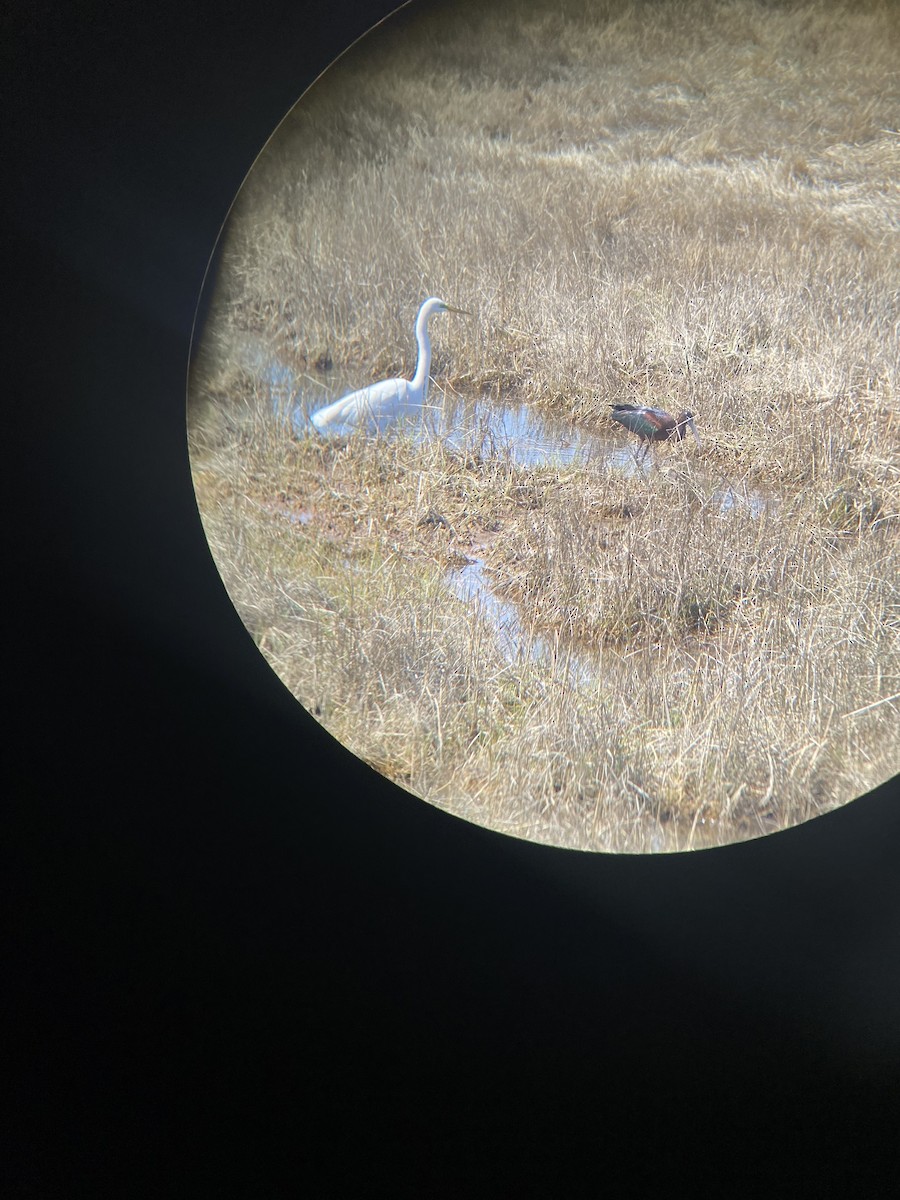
{"x": 692, "y": 206}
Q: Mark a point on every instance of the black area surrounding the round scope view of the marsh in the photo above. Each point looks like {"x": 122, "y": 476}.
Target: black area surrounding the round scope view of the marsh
{"x": 235, "y": 950}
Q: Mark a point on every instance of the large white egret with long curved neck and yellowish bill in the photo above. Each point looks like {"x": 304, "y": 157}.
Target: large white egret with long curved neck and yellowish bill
{"x": 376, "y": 406}
